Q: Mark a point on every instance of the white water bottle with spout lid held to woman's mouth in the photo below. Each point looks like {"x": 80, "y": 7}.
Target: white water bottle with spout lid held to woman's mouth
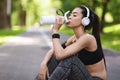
{"x": 52, "y": 19}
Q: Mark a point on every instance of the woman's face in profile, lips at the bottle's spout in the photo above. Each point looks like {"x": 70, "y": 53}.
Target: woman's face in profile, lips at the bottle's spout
{"x": 75, "y": 18}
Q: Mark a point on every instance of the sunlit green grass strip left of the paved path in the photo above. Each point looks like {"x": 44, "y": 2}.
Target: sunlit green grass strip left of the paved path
{"x": 6, "y": 34}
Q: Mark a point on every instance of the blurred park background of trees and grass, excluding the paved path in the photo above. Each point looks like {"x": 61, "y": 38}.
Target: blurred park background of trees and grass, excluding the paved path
{"x": 16, "y": 16}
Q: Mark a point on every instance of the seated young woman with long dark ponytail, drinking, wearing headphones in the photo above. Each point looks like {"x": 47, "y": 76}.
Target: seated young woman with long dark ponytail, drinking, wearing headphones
{"x": 81, "y": 56}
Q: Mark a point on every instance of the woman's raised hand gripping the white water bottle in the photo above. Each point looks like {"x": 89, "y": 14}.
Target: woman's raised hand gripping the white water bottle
{"x": 59, "y": 21}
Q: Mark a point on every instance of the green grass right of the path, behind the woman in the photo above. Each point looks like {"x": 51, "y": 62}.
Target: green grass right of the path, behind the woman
{"x": 109, "y": 40}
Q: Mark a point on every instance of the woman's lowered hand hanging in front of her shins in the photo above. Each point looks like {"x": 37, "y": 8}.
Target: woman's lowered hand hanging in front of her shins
{"x": 43, "y": 72}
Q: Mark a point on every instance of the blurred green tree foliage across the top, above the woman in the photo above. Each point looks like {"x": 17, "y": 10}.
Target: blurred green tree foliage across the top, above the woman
{"x": 36, "y": 8}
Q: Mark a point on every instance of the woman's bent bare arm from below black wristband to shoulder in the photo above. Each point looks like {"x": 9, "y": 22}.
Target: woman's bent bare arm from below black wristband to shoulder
{"x": 70, "y": 50}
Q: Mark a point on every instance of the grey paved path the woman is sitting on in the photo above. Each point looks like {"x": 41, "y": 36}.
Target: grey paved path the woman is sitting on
{"x": 20, "y": 58}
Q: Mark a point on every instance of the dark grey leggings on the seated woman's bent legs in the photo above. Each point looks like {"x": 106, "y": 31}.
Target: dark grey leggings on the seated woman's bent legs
{"x": 69, "y": 69}
